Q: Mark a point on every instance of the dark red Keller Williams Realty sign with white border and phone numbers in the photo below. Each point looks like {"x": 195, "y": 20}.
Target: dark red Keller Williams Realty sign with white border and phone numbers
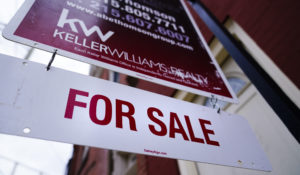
{"x": 149, "y": 39}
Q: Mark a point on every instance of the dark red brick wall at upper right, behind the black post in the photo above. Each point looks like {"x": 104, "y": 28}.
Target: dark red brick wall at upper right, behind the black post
{"x": 272, "y": 24}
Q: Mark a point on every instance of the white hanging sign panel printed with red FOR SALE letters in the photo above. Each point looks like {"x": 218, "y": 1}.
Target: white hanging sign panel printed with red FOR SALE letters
{"x": 68, "y": 107}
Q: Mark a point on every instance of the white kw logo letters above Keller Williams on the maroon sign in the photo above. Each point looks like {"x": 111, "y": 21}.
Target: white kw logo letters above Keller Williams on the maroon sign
{"x": 71, "y": 22}
